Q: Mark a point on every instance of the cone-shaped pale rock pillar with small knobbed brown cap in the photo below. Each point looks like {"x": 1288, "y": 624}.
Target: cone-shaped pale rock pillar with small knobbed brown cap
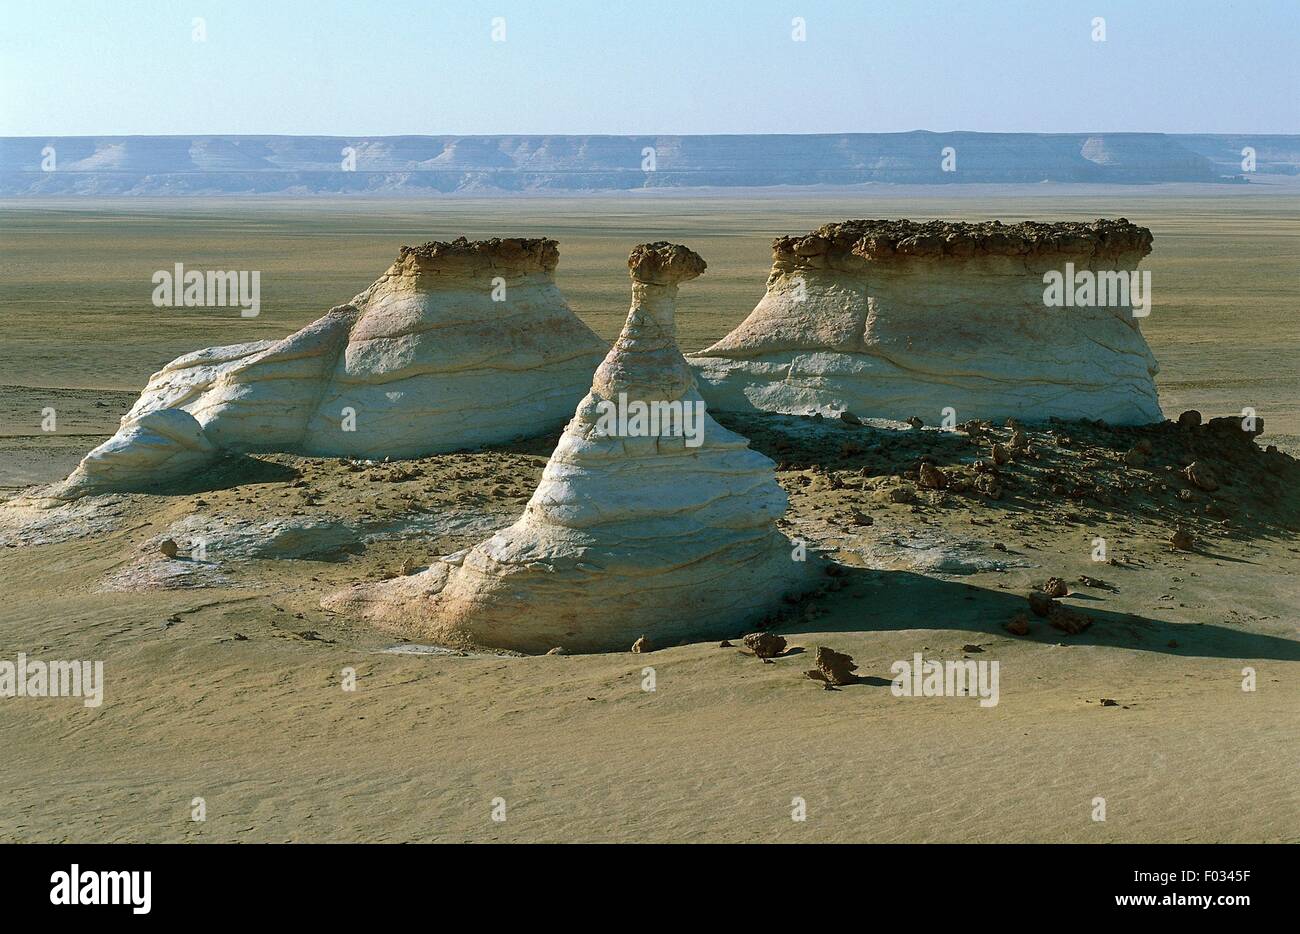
{"x": 664, "y": 530}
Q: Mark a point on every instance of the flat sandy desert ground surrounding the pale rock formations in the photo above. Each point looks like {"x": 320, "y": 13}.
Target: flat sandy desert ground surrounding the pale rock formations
{"x": 226, "y": 678}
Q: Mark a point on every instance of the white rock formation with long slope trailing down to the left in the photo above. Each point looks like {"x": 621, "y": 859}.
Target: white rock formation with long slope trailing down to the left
{"x": 457, "y": 345}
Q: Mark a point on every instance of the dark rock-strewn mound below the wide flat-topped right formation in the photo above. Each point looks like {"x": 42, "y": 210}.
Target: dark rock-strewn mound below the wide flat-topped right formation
{"x": 865, "y": 487}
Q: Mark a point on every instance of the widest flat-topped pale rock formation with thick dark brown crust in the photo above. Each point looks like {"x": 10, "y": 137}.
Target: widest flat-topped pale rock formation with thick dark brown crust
{"x": 889, "y": 319}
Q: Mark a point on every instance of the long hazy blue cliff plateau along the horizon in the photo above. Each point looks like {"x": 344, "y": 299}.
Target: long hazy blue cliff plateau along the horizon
{"x": 328, "y": 166}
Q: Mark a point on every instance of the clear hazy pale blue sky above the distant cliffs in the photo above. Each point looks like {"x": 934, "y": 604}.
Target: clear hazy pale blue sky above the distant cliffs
{"x": 424, "y": 67}
